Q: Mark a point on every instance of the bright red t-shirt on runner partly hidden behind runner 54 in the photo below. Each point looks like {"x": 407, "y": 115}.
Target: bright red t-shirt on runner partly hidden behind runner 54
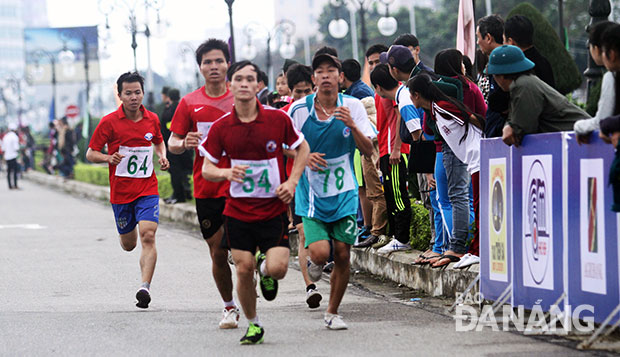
{"x": 197, "y": 112}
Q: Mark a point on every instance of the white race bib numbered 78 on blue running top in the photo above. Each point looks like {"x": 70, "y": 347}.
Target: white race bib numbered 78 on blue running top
{"x": 333, "y": 180}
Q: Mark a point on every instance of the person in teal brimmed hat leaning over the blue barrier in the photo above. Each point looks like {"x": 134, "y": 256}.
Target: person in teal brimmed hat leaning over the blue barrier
{"x": 535, "y": 107}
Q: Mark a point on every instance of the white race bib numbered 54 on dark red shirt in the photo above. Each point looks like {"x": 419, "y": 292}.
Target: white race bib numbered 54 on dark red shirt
{"x": 260, "y": 181}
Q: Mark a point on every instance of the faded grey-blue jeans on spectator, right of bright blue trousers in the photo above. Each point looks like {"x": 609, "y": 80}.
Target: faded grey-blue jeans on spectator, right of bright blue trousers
{"x": 459, "y": 193}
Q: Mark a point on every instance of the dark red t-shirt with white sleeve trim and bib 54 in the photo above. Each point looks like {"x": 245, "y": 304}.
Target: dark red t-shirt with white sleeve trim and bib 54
{"x": 257, "y": 144}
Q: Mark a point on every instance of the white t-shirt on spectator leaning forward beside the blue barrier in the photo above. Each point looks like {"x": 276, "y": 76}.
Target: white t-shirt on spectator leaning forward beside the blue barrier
{"x": 452, "y": 129}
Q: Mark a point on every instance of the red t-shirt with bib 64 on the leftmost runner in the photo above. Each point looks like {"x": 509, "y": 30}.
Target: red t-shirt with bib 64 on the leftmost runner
{"x": 134, "y": 176}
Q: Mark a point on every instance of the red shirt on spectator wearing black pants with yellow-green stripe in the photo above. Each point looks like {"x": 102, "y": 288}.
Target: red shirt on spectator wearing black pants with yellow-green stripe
{"x": 386, "y": 126}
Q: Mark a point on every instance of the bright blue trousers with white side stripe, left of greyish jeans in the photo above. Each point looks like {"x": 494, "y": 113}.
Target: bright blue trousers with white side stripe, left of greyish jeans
{"x": 441, "y": 207}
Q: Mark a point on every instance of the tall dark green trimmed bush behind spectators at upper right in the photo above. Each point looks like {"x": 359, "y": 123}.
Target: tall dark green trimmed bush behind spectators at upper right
{"x": 547, "y": 41}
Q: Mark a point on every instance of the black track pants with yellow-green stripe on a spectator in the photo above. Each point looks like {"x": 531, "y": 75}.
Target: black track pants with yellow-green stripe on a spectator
{"x": 396, "y": 197}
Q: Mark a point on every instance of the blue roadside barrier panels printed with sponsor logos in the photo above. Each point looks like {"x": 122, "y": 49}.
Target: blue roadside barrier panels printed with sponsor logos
{"x": 548, "y": 236}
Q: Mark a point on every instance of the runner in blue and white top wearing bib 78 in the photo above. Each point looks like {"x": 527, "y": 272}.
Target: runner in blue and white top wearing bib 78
{"x": 327, "y": 194}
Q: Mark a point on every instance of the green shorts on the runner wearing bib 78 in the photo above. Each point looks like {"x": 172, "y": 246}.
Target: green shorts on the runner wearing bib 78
{"x": 344, "y": 230}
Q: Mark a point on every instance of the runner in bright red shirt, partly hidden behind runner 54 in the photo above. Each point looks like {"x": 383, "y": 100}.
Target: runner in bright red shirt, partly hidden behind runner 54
{"x": 191, "y": 123}
